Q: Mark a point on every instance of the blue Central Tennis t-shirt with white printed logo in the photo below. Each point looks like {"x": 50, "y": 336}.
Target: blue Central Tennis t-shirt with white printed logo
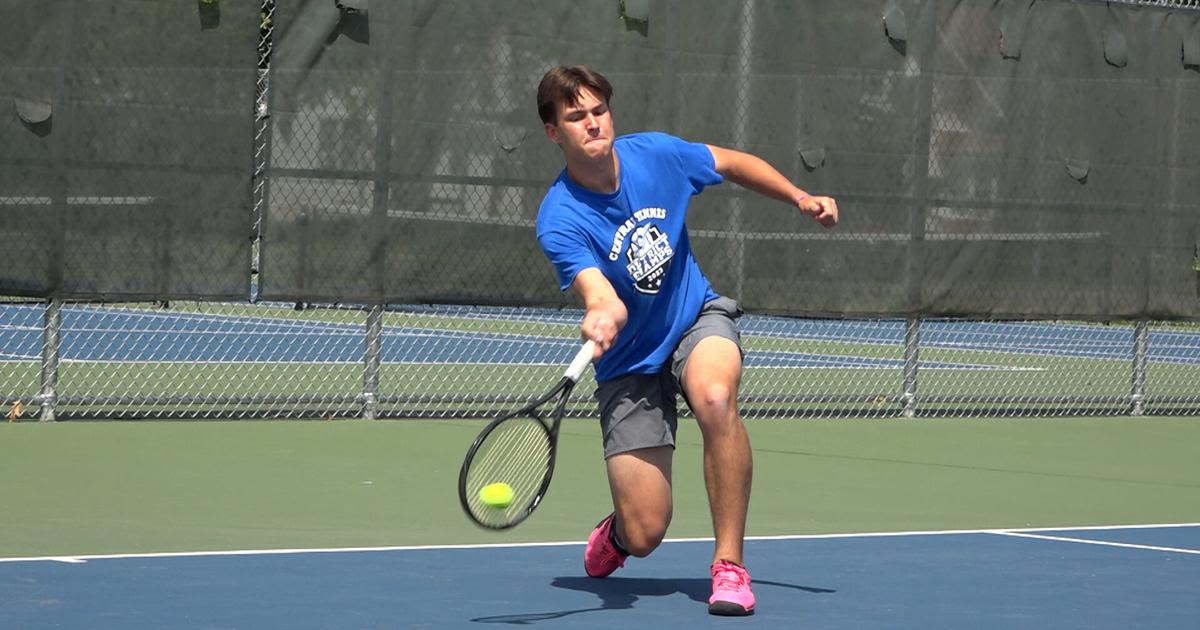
{"x": 638, "y": 239}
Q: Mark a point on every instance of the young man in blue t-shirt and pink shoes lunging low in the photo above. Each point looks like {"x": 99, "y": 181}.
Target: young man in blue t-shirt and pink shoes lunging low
{"x": 613, "y": 225}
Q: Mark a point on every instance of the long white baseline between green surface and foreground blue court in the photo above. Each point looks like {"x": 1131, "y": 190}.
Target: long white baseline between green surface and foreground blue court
{"x": 80, "y": 560}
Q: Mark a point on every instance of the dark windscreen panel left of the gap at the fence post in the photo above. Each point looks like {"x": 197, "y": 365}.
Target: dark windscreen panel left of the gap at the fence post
{"x": 125, "y": 148}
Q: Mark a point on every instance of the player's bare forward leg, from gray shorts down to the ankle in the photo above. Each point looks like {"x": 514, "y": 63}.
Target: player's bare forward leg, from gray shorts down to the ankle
{"x": 711, "y": 382}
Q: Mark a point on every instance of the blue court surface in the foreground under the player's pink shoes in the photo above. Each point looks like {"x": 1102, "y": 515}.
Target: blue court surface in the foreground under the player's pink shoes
{"x": 1147, "y": 577}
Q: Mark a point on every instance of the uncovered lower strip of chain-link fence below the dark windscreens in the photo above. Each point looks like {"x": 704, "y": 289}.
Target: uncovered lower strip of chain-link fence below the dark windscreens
{"x": 248, "y": 361}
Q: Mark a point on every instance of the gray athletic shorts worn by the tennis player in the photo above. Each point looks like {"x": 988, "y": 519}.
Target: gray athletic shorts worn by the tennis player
{"x": 639, "y": 411}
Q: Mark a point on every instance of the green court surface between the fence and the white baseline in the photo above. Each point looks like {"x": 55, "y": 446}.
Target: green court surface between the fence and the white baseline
{"x": 74, "y": 489}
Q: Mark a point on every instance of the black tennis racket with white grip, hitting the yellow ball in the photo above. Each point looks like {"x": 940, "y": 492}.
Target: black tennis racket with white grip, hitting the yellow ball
{"x": 519, "y": 449}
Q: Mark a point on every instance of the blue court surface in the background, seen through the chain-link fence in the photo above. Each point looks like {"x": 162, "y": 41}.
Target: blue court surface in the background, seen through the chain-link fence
{"x": 146, "y": 335}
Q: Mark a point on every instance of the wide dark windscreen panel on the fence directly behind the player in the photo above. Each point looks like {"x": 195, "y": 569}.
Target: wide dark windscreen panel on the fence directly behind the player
{"x": 1010, "y": 159}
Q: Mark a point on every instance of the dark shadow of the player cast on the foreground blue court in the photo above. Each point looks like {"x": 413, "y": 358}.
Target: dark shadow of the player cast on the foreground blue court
{"x": 619, "y": 593}
